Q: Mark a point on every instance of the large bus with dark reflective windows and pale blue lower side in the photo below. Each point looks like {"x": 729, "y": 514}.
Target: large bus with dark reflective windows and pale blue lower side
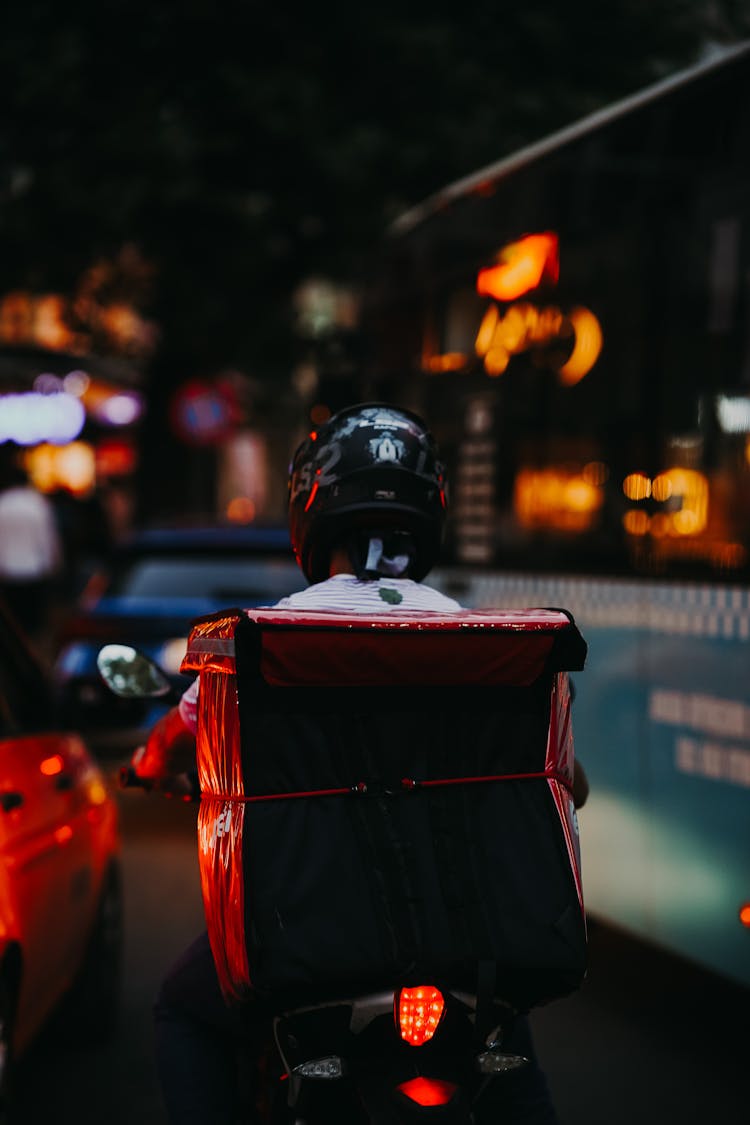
{"x": 574, "y": 322}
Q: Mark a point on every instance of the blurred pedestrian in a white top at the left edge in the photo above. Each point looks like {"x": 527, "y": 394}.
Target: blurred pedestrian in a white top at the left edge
{"x": 31, "y": 550}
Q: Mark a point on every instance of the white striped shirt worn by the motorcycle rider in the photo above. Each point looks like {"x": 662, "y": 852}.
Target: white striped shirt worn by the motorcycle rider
{"x": 348, "y": 595}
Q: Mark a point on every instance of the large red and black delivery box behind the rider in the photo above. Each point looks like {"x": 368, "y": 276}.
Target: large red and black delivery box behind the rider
{"x": 387, "y": 799}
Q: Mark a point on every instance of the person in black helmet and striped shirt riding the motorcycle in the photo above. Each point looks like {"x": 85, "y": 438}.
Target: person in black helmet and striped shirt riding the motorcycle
{"x": 367, "y": 510}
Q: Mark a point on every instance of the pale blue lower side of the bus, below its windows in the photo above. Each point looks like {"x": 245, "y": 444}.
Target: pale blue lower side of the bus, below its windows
{"x": 662, "y": 724}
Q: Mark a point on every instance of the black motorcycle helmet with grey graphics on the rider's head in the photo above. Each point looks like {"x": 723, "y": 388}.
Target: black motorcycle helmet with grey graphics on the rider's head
{"x": 372, "y": 470}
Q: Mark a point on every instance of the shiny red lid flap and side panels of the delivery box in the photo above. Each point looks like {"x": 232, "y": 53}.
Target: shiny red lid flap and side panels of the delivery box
{"x": 330, "y": 650}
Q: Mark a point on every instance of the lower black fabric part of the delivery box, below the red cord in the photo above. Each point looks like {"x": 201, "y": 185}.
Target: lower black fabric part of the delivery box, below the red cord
{"x": 327, "y": 915}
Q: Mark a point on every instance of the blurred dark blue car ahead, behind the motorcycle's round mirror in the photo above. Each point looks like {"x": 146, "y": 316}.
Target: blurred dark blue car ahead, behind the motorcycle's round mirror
{"x": 160, "y": 581}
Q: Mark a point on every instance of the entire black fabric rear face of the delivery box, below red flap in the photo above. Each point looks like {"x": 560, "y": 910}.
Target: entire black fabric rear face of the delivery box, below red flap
{"x": 355, "y": 892}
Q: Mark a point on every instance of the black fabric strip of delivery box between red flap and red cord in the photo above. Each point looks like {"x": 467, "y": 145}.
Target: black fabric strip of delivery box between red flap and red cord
{"x": 294, "y": 742}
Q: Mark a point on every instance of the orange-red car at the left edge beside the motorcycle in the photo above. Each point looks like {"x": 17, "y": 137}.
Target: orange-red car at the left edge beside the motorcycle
{"x": 60, "y": 868}
